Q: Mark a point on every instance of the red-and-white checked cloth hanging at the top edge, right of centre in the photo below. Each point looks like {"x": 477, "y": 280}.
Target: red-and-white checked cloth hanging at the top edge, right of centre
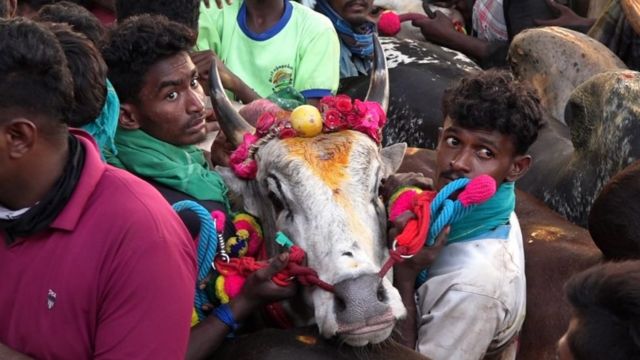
{"x": 488, "y": 20}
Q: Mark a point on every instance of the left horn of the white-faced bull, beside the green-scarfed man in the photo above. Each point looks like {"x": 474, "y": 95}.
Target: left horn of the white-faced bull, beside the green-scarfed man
{"x": 233, "y": 125}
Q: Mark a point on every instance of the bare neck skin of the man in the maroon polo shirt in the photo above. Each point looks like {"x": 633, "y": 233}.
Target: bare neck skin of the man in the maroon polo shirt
{"x": 35, "y": 182}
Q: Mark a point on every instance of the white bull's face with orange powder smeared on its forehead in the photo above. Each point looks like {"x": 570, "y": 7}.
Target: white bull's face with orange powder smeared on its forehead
{"x": 323, "y": 193}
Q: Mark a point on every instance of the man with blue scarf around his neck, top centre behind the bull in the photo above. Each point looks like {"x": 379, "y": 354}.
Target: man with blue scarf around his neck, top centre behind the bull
{"x": 355, "y": 30}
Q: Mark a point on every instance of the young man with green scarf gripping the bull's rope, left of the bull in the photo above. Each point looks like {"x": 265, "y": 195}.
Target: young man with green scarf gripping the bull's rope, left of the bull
{"x": 162, "y": 117}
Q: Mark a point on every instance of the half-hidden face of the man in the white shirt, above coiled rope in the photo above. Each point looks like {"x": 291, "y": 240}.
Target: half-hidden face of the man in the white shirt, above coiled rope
{"x": 468, "y": 153}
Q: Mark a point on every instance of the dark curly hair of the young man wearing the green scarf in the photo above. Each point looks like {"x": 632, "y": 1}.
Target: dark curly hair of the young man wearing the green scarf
{"x": 137, "y": 44}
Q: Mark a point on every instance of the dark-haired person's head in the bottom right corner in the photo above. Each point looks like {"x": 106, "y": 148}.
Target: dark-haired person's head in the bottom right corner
{"x": 606, "y": 313}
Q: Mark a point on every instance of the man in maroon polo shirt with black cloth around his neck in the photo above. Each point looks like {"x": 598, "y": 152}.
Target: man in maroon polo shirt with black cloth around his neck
{"x": 94, "y": 262}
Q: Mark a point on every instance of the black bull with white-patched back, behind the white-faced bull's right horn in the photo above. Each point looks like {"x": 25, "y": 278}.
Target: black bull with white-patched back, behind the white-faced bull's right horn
{"x": 419, "y": 72}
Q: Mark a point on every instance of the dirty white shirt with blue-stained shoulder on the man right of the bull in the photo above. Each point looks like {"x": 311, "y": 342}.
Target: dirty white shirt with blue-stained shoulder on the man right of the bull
{"x": 475, "y": 297}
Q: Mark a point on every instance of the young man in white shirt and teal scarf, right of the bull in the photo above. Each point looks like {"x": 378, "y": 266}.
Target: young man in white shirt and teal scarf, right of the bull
{"x": 473, "y": 302}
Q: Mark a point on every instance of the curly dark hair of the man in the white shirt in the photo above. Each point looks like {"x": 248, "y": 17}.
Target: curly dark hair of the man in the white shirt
{"x": 493, "y": 100}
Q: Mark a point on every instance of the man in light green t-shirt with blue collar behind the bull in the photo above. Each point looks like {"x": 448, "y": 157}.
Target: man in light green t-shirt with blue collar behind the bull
{"x": 272, "y": 44}
